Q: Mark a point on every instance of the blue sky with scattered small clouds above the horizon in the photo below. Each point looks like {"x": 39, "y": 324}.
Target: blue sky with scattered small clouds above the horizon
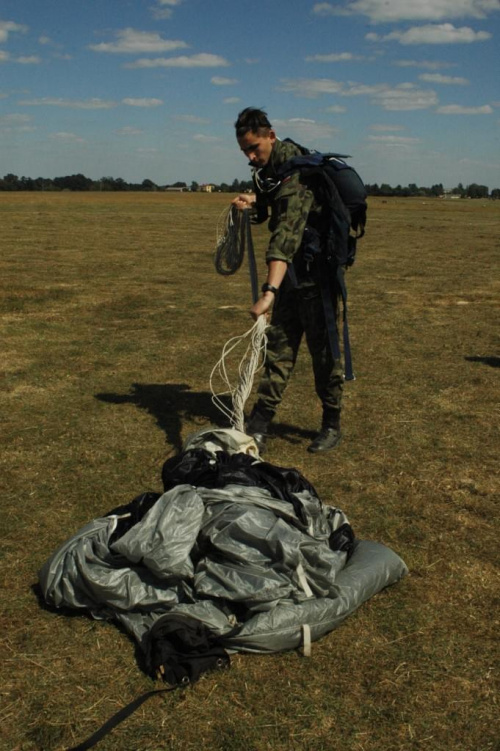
{"x": 151, "y": 88}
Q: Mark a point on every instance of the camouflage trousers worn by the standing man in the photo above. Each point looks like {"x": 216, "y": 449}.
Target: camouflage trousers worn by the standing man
{"x": 299, "y": 312}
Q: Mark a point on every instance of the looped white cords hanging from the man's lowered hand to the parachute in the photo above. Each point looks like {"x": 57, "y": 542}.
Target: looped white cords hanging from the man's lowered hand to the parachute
{"x": 251, "y": 362}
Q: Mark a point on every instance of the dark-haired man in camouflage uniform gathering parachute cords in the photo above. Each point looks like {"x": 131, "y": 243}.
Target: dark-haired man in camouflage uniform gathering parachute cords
{"x": 295, "y": 297}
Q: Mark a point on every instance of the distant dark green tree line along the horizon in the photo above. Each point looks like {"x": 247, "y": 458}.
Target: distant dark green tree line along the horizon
{"x": 79, "y": 182}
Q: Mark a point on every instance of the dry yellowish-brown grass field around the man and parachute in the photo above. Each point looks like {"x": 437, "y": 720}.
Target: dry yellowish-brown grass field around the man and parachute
{"x": 112, "y": 317}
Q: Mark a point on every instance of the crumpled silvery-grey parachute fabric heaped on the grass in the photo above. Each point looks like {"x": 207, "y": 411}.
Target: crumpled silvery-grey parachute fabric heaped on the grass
{"x": 257, "y": 571}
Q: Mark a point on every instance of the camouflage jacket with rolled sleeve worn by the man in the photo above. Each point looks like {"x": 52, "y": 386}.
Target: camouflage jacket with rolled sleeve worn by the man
{"x": 291, "y": 203}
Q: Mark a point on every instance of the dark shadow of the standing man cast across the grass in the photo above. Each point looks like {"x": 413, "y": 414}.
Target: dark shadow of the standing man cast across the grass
{"x": 171, "y": 403}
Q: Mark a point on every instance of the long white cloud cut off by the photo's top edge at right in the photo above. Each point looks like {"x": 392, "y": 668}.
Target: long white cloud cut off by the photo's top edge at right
{"x": 390, "y": 11}
